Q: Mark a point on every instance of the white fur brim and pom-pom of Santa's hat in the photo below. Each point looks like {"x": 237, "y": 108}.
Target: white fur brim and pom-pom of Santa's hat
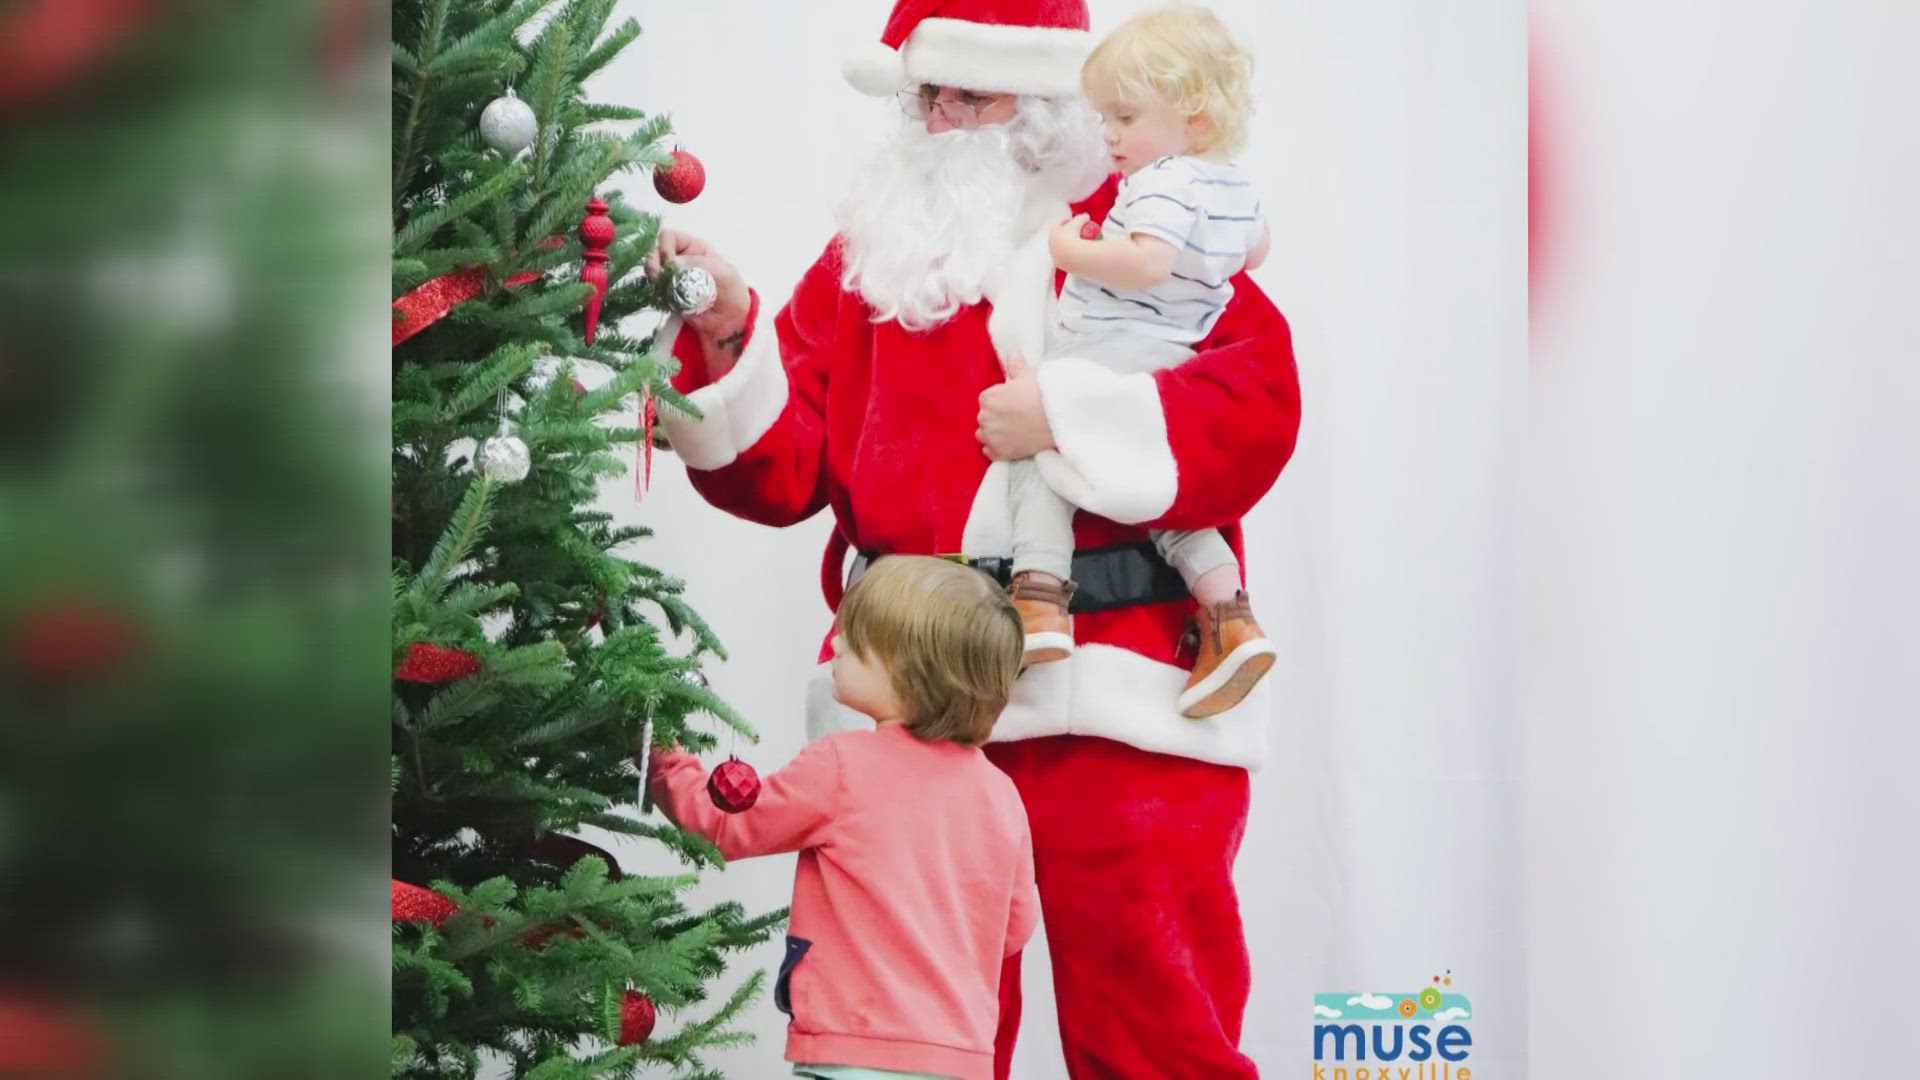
{"x": 974, "y": 57}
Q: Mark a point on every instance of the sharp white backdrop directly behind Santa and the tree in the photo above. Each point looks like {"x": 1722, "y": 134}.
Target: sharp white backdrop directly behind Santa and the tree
{"x": 1385, "y": 841}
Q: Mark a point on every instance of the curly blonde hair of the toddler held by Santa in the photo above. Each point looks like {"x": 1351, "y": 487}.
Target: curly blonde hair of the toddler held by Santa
{"x": 1180, "y": 57}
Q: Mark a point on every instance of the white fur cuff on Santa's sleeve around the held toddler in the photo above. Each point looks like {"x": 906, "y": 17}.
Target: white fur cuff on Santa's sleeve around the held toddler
{"x": 1115, "y": 454}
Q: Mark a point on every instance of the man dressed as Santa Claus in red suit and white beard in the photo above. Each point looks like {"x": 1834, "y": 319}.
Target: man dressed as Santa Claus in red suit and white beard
{"x": 892, "y": 389}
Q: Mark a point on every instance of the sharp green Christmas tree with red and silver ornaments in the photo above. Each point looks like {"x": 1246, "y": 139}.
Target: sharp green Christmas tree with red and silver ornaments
{"x": 533, "y": 654}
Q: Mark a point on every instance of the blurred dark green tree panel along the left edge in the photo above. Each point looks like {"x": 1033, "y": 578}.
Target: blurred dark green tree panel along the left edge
{"x": 191, "y": 468}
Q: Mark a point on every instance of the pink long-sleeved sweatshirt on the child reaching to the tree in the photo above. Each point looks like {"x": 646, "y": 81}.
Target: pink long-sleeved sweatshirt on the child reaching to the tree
{"x": 915, "y": 881}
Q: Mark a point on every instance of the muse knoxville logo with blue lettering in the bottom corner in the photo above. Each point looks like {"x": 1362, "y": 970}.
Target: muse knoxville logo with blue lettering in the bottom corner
{"x": 1420, "y": 1035}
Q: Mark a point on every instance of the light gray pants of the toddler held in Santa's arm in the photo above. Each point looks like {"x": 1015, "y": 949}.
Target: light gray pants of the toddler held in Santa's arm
{"x": 1044, "y": 522}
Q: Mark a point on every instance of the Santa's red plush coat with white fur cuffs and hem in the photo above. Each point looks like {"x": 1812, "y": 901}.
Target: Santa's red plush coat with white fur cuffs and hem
{"x": 832, "y": 410}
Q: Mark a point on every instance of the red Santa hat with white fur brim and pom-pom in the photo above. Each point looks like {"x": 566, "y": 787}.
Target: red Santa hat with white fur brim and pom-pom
{"x": 999, "y": 47}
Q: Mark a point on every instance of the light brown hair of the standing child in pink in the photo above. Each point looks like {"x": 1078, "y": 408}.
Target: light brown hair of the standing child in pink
{"x": 949, "y": 639}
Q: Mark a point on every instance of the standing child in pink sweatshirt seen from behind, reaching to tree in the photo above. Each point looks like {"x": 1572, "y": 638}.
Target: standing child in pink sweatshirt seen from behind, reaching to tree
{"x": 917, "y": 868}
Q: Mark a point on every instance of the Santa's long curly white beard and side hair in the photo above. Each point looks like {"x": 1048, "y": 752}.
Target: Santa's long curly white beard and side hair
{"x": 932, "y": 216}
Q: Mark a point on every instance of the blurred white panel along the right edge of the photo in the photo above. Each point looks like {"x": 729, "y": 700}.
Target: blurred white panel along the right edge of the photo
{"x": 1725, "y": 487}
